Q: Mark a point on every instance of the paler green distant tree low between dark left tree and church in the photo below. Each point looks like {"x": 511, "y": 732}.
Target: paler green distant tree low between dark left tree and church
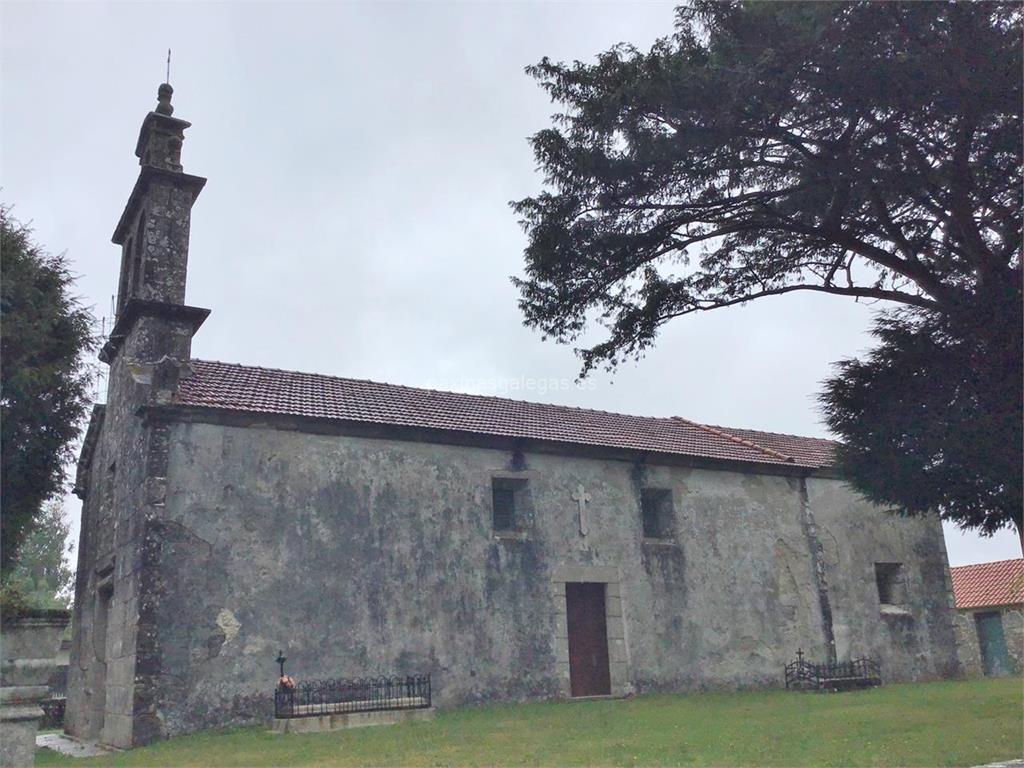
{"x": 42, "y": 574}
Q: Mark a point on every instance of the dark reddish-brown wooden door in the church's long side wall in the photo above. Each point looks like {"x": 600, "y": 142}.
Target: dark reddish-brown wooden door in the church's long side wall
{"x": 589, "y": 674}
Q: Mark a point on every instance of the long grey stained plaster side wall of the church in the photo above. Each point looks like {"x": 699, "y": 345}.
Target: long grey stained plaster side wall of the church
{"x": 362, "y": 557}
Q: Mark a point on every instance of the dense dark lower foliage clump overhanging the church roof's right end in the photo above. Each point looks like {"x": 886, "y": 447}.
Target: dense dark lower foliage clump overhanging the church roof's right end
{"x": 932, "y": 418}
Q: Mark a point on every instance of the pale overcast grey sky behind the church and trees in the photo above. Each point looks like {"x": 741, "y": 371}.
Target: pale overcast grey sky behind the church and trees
{"x": 361, "y": 159}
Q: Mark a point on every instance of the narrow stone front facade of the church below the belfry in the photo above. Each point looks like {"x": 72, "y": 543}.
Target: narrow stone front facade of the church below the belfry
{"x": 115, "y": 674}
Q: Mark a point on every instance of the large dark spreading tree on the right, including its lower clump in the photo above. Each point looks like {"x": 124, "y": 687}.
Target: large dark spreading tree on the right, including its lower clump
{"x": 868, "y": 150}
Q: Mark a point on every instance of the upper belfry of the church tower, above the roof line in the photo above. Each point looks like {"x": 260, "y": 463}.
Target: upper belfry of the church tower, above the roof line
{"x": 153, "y": 234}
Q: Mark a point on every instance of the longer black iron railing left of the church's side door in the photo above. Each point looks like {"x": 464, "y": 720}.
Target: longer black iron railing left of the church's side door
{"x": 345, "y": 696}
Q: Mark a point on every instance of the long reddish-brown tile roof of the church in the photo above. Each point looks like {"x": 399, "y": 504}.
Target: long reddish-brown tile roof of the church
{"x": 223, "y": 386}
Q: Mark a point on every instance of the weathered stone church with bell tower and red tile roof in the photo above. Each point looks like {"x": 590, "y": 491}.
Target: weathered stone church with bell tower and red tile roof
{"x": 511, "y": 550}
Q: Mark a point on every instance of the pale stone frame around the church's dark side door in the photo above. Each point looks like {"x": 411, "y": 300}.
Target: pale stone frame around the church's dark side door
{"x": 618, "y": 652}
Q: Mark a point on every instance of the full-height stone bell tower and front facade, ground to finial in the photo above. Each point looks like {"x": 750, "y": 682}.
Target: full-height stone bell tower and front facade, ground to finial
{"x": 115, "y": 672}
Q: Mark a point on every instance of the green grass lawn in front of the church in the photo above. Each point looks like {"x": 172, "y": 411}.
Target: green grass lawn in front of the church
{"x": 928, "y": 724}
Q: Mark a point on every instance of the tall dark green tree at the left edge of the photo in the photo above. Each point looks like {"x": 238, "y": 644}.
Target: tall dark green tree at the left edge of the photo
{"x": 46, "y": 336}
